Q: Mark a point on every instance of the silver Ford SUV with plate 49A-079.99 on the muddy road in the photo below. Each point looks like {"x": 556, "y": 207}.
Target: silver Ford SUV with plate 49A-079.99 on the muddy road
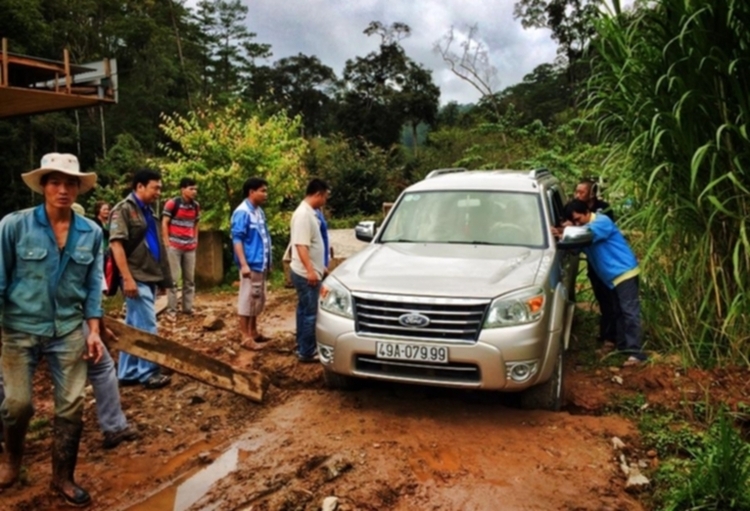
{"x": 462, "y": 286}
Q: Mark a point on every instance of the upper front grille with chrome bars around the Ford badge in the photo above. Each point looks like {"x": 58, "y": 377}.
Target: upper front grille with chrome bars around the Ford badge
{"x": 450, "y": 320}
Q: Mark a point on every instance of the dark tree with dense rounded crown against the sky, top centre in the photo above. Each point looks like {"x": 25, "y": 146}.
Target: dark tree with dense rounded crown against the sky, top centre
{"x": 385, "y": 90}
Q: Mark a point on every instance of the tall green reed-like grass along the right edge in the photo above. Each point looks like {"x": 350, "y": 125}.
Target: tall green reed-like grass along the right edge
{"x": 670, "y": 92}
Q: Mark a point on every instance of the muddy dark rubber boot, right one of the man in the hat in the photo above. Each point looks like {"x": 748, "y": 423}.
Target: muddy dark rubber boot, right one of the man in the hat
{"x": 64, "y": 457}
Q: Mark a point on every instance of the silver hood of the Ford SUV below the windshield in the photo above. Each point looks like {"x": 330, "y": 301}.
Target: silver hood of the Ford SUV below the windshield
{"x": 436, "y": 269}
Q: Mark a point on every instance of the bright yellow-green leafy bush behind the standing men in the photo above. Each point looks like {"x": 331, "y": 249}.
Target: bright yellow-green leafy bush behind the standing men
{"x": 221, "y": 147}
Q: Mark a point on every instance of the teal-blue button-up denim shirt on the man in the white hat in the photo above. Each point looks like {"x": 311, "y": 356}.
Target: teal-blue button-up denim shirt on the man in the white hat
{"x": 44, "y": 290}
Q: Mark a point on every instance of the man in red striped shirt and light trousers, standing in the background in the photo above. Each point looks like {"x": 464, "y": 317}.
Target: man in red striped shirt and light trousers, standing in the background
{"x": 180, "y": 229}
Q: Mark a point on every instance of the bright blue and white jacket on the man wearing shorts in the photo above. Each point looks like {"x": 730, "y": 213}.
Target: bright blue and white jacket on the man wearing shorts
{"x": 249, "y": 228}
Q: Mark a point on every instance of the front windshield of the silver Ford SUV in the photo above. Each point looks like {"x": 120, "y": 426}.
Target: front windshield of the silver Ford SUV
{"x": 467, "y": 217}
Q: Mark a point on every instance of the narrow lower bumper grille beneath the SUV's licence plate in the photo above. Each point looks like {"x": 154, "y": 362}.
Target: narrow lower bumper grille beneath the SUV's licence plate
{"x": 449, "y": 373}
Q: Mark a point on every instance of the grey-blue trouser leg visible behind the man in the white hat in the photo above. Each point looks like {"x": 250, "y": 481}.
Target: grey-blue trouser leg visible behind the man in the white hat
{"x": 106, "y": 392}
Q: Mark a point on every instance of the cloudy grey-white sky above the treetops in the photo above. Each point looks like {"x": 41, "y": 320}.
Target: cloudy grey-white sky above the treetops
{"x": 333, "y": 31}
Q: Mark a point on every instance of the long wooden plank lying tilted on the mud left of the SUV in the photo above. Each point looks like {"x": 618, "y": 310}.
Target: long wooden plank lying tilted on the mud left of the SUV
{"x": 184, "y": 360}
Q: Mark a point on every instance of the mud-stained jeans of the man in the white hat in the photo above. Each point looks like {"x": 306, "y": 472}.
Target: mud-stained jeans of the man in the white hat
{"x": 20, "y": 357}
